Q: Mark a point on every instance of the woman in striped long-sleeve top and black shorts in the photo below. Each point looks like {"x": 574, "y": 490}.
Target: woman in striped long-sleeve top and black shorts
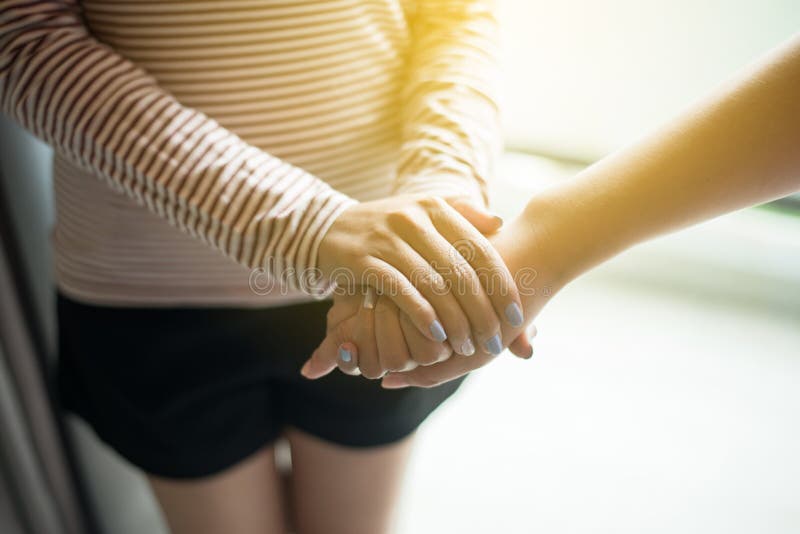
{"x": 269, "y": 131}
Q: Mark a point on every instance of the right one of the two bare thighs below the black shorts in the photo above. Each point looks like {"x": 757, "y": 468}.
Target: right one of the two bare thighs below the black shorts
{"x": 342, "y": 490}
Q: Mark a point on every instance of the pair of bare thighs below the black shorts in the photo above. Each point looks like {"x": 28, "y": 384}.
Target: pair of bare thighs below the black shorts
{"x": 331, "y": 490}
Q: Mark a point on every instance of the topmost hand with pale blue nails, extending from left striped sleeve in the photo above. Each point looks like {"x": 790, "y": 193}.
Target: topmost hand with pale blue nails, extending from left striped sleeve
{"x": 435, "y": 265}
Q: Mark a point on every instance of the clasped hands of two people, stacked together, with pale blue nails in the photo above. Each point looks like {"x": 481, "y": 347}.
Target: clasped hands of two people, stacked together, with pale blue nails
{"x": 422, "y": 294}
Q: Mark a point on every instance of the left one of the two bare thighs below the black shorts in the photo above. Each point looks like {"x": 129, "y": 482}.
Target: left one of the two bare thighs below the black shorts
{"x": 245, "y": 499}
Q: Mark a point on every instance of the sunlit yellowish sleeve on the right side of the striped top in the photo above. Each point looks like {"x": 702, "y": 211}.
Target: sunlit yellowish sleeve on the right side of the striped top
{"x": 451, "y": 127}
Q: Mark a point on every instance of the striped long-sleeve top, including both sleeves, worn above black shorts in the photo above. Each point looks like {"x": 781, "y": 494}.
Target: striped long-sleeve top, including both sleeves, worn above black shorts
{"x": 249, "y": 125}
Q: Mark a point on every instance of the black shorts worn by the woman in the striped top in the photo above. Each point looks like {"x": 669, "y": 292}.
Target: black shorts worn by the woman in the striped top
{"x": 188, "y": 392}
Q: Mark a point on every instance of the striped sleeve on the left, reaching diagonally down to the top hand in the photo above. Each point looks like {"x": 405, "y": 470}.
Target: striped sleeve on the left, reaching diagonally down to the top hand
{"x": 110, "y": 117}
